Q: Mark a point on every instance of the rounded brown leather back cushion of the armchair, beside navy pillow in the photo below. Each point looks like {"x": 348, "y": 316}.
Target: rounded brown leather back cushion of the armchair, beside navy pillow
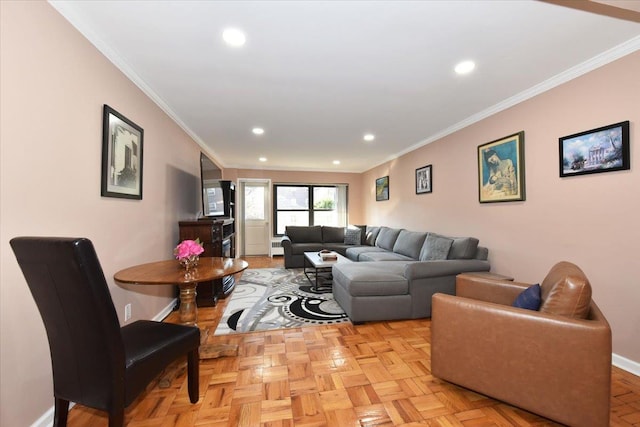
{"x": 569, "y": 295}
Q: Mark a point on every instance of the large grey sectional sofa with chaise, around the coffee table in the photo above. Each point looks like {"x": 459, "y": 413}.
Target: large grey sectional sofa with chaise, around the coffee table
{"x": 394, "y": 271}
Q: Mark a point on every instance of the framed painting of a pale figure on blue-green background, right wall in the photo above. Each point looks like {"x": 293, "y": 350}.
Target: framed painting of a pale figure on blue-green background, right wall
{"x": 501, "y": 169}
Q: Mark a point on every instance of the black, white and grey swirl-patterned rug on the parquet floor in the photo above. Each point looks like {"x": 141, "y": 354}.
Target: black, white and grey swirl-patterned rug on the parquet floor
{"x": 276, "y": 298}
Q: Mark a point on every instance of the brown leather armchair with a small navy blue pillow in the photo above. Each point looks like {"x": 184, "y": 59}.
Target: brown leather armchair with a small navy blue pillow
{"x": 555, "y": 362}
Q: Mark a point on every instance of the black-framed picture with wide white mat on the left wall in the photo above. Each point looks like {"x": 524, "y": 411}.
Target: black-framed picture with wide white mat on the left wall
{"x": 122, "y": 142}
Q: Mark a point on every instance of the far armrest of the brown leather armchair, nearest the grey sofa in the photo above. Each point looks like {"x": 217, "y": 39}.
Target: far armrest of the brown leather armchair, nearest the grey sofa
{"x": 489, "y": 290}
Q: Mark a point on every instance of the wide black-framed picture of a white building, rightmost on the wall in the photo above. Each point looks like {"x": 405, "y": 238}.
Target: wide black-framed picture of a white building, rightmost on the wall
{"x": 598, "y": 150}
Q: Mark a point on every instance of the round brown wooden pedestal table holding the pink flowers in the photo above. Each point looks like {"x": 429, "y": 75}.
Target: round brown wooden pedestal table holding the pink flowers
{"x": 172, "y": 273}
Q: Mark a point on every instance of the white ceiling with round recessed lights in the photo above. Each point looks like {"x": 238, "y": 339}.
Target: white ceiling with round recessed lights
{"x": 318, "y": 75}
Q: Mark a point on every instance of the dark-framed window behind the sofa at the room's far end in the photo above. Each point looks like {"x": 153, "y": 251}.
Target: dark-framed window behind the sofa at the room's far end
{"x": 309, "y": 205}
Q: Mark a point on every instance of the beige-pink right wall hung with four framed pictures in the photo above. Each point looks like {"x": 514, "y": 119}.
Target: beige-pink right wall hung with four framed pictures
{"x": 590, "y": 220}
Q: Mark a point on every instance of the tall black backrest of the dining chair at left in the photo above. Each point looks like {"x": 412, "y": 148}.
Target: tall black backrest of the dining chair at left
{"x": 69, "y": 288}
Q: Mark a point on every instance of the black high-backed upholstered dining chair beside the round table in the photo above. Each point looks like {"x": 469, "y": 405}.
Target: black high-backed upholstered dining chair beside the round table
{"x": 96, "y": 362}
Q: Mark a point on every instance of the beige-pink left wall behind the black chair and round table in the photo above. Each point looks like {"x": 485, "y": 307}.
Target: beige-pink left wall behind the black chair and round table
{"x": 53, "y": 86}
